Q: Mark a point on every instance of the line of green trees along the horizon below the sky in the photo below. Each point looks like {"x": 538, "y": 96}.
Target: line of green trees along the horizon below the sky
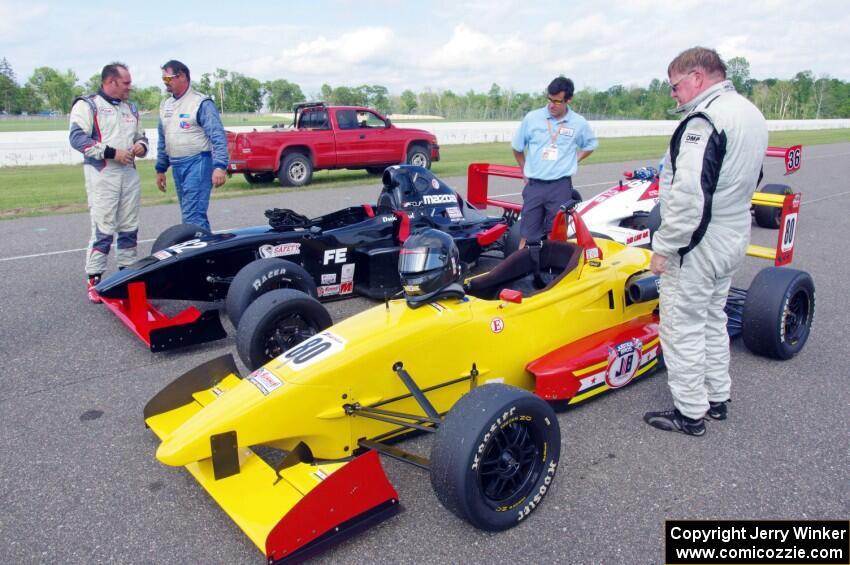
{"x": 805, "y": 96}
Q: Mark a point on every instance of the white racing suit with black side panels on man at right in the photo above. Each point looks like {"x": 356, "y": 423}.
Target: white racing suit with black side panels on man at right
{"x": 710, "y": 172}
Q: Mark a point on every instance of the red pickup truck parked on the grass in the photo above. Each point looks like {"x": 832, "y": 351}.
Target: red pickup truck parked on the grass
{"x": 328, "y": 137}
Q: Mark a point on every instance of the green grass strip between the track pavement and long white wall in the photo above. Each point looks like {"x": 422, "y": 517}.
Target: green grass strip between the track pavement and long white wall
{"x": 40, "y": 190}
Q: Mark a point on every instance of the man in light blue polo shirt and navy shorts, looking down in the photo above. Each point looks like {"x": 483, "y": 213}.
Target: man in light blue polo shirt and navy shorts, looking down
{"x": 548, "y": 146}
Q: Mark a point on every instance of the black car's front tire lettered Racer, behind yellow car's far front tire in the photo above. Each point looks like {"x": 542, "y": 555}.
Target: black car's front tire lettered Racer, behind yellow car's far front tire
{"x": 259, "y": 277}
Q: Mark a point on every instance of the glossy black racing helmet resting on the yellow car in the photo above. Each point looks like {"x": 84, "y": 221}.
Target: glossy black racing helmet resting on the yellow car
{"x": 429, "y": 267}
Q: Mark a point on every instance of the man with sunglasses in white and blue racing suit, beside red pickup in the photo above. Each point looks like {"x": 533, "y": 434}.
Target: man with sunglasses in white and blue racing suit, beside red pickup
{"x": 193, "y": 142}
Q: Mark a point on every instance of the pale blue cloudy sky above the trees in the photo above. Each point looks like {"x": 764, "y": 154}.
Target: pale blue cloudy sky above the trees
{"x": 436, "y": 44}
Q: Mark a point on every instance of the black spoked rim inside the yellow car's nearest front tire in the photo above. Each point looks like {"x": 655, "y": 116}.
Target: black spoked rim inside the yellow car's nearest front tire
{"x": 510, "y": 463}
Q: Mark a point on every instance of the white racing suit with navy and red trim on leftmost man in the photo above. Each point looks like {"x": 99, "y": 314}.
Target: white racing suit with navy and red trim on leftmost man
{"x": 101, "y": 124}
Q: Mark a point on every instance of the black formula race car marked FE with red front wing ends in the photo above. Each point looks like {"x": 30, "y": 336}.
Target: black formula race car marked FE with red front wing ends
{"x": 353, "y": 251}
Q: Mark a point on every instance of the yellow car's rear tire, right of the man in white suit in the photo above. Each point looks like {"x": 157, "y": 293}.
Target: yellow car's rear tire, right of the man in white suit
{"x": 778, "y": 312}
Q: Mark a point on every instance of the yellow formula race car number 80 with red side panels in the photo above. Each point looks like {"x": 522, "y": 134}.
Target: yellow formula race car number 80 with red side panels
{"x": 291, "y": 451}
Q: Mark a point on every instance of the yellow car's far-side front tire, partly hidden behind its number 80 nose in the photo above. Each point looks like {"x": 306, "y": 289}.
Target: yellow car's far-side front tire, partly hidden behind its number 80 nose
{"x": 277, "y": 321}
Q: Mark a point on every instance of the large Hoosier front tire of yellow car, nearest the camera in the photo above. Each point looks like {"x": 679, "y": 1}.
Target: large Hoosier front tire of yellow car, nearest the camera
{"x": 495, "y": 455}
